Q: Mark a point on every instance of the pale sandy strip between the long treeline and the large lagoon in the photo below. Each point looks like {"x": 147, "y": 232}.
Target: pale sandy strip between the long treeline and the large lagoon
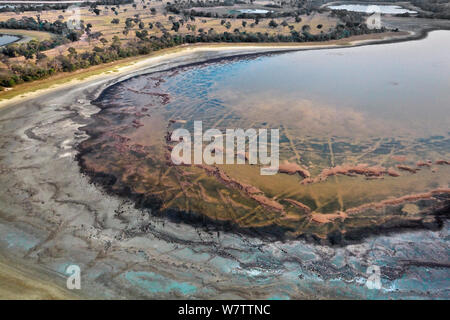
{"x": 166, "y": 56}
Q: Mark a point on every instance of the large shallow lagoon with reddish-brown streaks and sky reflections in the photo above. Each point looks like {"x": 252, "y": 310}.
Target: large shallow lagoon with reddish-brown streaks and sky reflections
{"x": 384, "y": 107}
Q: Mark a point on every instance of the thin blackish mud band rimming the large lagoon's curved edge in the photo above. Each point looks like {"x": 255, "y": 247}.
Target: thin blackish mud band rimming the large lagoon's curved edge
{"x": 272, "y": 231}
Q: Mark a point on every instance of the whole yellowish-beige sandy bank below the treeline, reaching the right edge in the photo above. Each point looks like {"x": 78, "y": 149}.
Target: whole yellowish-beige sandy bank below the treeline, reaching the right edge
{"x": 170, "y": 53}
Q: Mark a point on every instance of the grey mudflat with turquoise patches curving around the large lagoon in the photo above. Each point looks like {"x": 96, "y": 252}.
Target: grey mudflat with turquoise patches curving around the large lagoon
{"x": 72, "y": 197}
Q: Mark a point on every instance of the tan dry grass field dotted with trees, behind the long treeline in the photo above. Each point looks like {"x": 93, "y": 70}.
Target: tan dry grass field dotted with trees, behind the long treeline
{"x": 102, "y": 23}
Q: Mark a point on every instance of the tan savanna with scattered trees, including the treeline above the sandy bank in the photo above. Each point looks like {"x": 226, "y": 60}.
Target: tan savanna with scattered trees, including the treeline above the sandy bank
{"x": 106, "y": 33}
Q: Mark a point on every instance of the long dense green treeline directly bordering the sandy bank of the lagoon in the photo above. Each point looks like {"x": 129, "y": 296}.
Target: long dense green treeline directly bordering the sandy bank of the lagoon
{"x": 30, "y": 71}
